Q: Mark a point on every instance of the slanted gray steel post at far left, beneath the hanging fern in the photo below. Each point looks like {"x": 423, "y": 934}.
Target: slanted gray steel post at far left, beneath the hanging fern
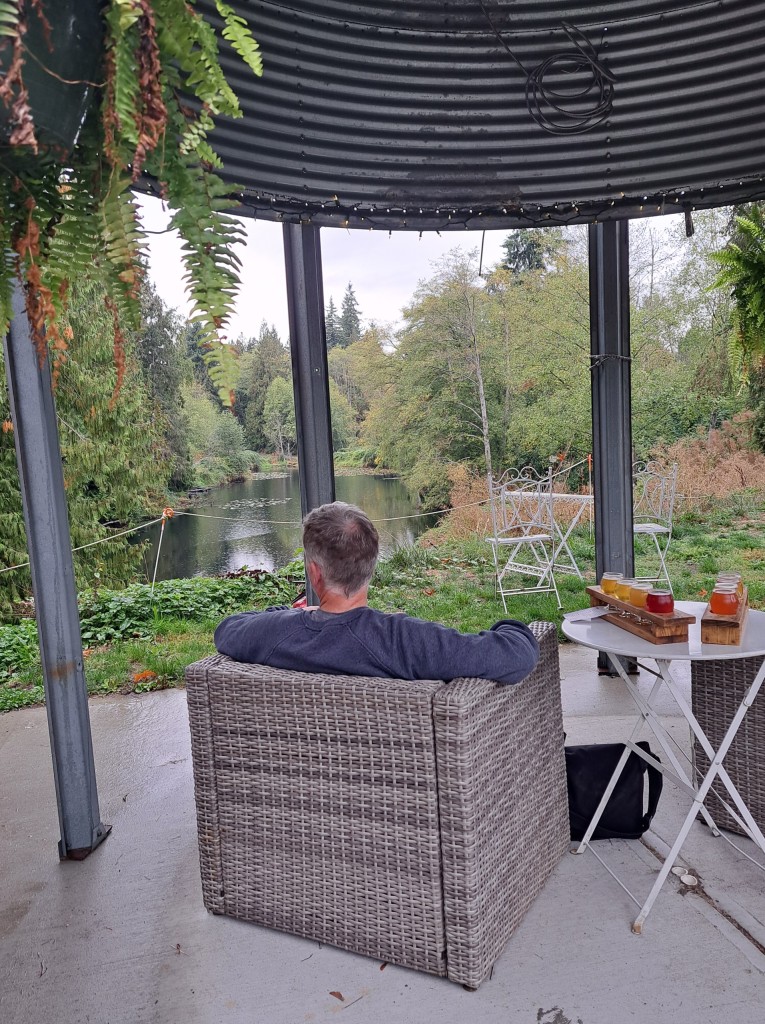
{"x": 44, "y": 497}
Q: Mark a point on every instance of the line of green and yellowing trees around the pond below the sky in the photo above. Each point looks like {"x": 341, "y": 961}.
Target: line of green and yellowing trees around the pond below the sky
{"x": 488, "y": 371}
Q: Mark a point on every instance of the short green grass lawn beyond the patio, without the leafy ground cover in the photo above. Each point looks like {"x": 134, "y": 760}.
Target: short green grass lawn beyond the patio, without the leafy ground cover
{"x": 446, "y": 581}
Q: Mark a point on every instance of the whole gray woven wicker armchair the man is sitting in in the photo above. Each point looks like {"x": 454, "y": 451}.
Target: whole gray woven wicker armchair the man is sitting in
{"x": 410, "y": 822}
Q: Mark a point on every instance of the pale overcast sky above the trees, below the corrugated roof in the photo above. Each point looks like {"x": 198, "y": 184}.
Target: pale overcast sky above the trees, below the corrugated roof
{"x": 385, "y": 271}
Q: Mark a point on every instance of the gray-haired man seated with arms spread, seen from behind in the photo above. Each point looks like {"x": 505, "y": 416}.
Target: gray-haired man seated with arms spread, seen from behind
{"x": 345, "y": 636}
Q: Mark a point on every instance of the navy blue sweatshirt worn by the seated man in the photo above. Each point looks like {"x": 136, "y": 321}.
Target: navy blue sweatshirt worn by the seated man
{"x": 367, "y": 643}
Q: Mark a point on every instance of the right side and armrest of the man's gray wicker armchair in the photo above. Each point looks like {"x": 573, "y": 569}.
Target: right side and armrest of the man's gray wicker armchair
{"x": 504, "y": 805}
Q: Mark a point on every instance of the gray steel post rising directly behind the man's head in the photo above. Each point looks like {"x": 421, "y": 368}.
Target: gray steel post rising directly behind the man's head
{"x": 311, "y": 378}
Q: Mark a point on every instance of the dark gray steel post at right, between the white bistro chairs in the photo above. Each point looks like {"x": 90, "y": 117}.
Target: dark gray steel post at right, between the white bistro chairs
{"x": 612, "y": 407}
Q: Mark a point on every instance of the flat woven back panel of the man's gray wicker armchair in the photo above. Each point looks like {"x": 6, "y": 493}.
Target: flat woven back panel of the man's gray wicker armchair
{"x": 323, "y": 793}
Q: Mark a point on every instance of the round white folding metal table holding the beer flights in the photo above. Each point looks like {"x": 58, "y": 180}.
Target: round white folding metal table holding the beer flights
{"x": 616, "y": 643}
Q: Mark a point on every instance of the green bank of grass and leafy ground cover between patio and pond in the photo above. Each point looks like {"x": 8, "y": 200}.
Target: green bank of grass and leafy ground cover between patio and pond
{"x": 138, "y": 644}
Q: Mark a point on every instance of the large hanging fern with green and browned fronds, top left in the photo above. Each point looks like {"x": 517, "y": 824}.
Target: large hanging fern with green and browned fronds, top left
{"x": 147, "y": 113}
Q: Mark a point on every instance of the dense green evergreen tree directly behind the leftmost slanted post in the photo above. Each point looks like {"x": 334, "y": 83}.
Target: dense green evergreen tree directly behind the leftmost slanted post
{"x": 113, "y": 453}
